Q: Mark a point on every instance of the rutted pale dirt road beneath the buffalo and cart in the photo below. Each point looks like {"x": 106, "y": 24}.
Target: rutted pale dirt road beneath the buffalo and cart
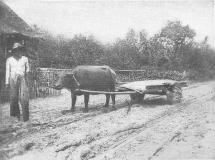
{"x": 152, "y": 130}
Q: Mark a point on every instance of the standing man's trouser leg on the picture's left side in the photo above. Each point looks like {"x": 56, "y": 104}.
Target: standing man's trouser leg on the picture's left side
{"x": 14, "y": 99}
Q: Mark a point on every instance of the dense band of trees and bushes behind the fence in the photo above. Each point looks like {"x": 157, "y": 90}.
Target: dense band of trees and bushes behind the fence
{"x": 172, "y": 49}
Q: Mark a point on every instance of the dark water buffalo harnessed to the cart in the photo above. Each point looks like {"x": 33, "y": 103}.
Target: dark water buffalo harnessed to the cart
{"x": 95, "y": 78}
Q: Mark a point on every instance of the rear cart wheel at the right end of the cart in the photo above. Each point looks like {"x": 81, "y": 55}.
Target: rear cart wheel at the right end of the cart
{"x": 174, "y": 95}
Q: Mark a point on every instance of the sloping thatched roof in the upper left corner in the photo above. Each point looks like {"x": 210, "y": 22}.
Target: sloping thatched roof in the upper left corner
{"x": 11, "y": 23}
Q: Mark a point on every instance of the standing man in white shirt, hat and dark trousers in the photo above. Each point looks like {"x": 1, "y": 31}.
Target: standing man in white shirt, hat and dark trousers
{"x": 17, "y": 68}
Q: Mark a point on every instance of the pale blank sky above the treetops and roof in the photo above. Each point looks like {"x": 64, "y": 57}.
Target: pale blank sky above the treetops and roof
{"x": 111, "y": 19}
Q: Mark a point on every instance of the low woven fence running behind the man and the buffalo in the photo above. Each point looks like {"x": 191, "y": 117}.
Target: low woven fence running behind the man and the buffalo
{"x": 40, "y": 83}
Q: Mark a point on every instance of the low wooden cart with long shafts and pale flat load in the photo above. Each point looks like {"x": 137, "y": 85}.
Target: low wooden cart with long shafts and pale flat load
{"x": 138, "y": 89}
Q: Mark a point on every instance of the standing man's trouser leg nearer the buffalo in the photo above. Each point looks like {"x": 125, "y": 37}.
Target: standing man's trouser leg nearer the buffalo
{"x": 24, "y": 99}
